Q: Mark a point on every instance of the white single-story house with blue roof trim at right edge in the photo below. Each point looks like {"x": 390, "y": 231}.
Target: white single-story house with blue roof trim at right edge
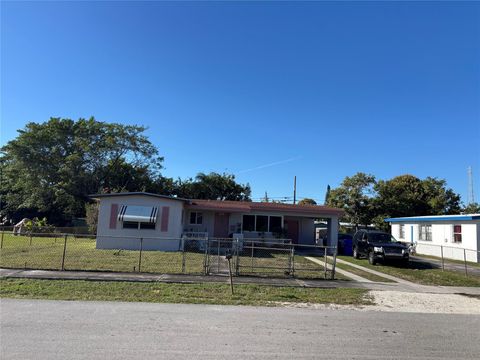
{"x": 457, "y": 236}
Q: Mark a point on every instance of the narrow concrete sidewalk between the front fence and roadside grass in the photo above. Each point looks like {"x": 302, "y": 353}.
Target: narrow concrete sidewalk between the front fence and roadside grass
{"x": 198, "y": 279}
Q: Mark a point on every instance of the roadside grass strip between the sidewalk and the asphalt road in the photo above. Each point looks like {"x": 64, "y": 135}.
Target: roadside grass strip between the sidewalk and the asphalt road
{"x": 177, "y": 293}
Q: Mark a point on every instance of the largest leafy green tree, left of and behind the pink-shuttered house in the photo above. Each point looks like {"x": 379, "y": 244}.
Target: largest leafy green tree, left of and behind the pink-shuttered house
{"x": 50, "y": 168}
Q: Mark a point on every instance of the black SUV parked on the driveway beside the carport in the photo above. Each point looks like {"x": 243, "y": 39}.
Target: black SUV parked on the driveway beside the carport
{"x": 378, "y": 246}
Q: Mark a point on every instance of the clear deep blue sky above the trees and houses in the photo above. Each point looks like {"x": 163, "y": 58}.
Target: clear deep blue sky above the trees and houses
{"x": 318, "y": 90}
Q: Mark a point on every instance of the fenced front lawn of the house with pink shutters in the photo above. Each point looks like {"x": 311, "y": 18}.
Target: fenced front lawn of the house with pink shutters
{"x": 46, "y": 253}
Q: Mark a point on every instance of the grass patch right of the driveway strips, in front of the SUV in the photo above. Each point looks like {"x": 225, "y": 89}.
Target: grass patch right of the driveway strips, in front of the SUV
{"x": 420, "y": 273}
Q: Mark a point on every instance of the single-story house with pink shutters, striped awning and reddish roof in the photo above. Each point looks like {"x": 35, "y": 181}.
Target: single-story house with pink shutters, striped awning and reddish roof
{"x": 123, "y": 218}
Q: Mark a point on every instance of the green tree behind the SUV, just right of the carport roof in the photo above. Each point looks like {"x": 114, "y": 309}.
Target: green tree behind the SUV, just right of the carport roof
{"x": 355, "y": 197}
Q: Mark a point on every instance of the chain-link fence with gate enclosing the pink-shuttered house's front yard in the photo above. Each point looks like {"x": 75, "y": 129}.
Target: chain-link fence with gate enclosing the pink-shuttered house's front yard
{"x": 195, "y": 256}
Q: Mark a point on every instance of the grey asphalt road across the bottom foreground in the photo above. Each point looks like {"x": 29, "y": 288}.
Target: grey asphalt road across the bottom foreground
{"x": 35, "y": 329}
